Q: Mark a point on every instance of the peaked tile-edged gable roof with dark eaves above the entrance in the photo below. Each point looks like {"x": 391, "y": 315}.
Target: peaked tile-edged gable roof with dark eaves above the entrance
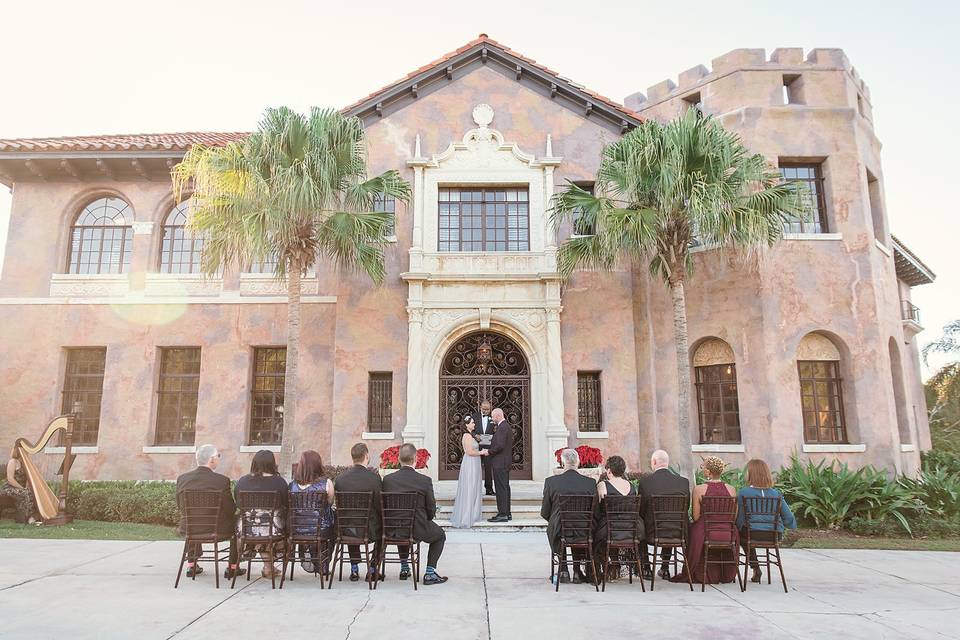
{"x": 483, "y": 51}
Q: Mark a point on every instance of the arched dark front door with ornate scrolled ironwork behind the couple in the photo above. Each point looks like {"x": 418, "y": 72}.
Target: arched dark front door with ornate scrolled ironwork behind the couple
{"x": 484, "y": 365}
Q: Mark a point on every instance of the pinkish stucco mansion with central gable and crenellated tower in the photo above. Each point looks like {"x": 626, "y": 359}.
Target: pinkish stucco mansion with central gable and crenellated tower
{"x": 806, "y": 349}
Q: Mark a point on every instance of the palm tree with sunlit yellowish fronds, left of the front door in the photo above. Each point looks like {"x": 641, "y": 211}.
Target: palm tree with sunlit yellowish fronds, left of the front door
{"x": 292, "y": 191}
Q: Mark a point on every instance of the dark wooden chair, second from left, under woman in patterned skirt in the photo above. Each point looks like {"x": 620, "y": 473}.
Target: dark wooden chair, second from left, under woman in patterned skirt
{"x": 260, "y": 511}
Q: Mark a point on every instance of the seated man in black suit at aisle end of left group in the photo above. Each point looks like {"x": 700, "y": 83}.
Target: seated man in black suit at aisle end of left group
{"x": 407, "y": 480}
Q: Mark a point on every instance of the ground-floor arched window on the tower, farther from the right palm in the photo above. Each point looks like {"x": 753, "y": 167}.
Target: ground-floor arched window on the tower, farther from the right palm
{"x": 821, "y": 391}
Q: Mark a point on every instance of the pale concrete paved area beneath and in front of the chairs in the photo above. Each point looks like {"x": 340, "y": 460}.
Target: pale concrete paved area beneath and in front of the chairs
{"x": 497, "y": 589}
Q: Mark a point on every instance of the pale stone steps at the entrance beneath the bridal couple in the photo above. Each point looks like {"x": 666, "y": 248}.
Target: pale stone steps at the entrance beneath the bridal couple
{"x": 525, "y": 506}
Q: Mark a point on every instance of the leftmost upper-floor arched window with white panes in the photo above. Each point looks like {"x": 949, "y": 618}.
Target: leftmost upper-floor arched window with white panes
{"x": 101, "y": 238}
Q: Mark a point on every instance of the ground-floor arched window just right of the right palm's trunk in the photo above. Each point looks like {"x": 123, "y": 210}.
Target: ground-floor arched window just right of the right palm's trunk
{"x": 717, "y": 404}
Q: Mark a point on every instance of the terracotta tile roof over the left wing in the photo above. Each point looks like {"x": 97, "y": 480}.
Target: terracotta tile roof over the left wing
{"x": 131, "y": 142}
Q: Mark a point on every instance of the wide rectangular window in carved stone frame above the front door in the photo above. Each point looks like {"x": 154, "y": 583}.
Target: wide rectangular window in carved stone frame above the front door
{"x": 484, "y": 219}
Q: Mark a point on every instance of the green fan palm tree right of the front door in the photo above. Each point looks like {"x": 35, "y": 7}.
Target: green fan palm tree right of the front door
{"x": 663, "y": 188}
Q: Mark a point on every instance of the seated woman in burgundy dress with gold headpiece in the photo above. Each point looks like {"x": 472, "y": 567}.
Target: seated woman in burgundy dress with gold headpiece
{"x": 714, "y": 486}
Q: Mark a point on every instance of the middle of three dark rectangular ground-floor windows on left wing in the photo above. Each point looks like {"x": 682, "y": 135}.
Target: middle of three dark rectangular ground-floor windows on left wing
{"x": 178, "y": 393}
